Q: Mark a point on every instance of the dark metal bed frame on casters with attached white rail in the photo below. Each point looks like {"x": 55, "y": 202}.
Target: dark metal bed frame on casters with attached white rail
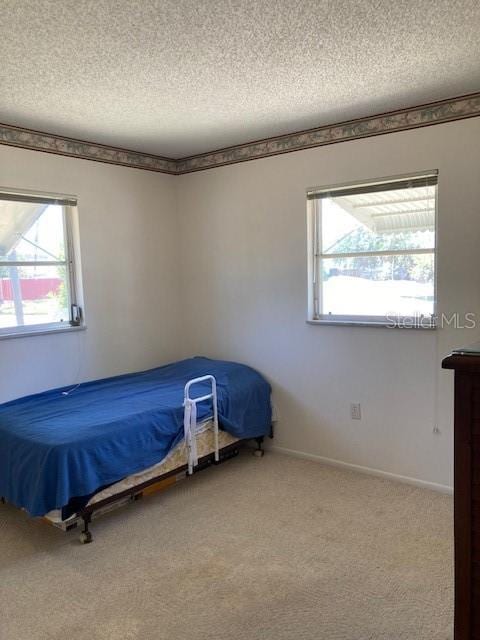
{"x": 192, "y": 465}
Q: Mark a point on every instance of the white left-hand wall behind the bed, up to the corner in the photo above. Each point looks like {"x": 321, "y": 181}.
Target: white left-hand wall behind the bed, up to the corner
{"x": 128, "y": 236}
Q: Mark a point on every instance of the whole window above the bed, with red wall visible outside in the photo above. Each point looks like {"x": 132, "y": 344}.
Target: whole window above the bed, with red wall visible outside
{"x": 38, "y": 280}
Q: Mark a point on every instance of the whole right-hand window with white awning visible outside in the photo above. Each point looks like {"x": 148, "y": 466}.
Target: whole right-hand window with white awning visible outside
{"x": 372, "y": 252}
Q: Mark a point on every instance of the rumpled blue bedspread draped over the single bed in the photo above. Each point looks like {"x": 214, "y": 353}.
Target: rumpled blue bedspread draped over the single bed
{"x": 54, "y": 447}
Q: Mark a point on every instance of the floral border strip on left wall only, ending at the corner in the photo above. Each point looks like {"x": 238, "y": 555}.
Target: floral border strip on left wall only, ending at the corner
{"x": 28, "y": 139}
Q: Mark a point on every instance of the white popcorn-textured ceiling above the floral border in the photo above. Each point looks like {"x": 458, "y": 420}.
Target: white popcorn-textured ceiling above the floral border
{"x": 179, "y": 77}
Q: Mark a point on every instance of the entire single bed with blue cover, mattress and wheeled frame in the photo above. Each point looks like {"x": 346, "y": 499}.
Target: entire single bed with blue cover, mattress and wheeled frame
{"x": 69, "y": 453}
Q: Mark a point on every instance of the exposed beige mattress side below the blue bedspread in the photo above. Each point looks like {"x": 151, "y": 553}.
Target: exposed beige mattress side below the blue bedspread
{"x": 176, "y": 459}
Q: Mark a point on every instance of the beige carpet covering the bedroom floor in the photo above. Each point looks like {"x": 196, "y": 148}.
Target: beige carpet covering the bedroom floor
{"x": 274, "y": 548}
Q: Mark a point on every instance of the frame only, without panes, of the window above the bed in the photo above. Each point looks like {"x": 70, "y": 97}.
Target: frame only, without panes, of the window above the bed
{"x": 71, "y": 264}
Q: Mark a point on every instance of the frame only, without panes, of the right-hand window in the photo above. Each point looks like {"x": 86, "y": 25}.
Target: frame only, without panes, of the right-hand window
{"x": 316, "y": 258}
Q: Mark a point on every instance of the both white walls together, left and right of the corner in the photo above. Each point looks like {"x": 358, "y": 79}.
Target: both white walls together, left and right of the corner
{"x": 214, "y": 263}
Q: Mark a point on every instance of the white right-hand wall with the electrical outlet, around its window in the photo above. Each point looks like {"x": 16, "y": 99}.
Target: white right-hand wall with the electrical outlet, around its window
{"x": 244, "y": 292}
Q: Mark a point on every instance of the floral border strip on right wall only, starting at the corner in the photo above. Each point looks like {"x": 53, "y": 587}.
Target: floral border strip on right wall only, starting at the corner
{"x": 401, "y": 120}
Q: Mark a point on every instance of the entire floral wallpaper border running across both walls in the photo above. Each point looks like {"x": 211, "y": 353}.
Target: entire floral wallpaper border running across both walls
{"x": 401, "y": 120}
